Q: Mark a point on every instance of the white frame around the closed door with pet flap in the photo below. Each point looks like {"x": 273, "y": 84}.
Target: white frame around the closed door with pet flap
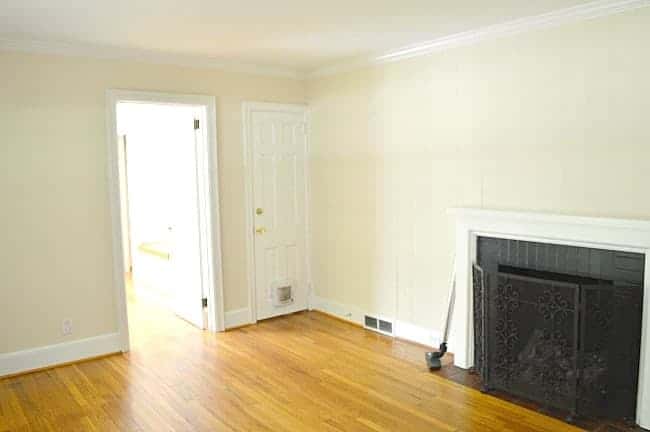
{"x": 248, "y": 108}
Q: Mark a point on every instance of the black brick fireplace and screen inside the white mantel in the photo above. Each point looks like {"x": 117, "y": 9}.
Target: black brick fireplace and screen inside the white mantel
{"x": 559, "y": 325}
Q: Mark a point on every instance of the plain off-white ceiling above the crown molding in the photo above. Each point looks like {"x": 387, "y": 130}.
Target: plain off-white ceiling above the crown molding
{"x": 302, "y": 35}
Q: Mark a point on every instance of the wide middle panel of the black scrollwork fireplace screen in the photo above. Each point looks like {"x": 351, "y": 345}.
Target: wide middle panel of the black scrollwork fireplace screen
{"x": 533, "y": 339}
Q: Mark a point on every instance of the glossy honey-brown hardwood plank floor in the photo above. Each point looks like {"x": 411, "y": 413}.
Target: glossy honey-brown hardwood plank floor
{"x": 302, "y": 372}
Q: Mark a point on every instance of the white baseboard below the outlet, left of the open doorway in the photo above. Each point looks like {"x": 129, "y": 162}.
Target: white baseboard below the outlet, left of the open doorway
{"x": 52, "y": 355}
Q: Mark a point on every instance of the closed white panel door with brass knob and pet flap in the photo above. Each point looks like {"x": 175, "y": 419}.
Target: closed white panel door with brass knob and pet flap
{"x": 279, "y": 189}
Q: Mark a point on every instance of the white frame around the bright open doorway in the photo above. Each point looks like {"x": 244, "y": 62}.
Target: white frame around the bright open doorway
{"x": 215, "y": 286}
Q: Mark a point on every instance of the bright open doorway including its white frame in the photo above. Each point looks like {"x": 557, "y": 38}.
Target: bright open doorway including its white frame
{"x": 164, "y": 186}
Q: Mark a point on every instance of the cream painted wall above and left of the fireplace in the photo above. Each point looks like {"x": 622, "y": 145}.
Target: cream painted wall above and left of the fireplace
{"x": 551, "y": 121}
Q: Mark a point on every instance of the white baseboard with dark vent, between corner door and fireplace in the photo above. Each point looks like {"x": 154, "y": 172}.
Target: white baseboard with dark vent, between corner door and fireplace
{"x": 402, "y": 329}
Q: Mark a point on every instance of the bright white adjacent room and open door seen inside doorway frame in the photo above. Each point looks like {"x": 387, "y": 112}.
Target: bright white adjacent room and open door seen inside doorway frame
{"x": 165, "y": 212}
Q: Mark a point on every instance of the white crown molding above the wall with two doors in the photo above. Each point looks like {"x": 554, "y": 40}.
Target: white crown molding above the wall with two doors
{"x": 145, "y": 56}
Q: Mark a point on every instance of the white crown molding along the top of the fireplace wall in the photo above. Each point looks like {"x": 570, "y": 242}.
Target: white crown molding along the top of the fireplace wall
{"x": 595, "y": 9}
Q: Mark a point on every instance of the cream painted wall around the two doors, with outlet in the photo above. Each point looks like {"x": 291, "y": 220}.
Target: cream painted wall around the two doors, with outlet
{"x": 55, "y": 258}
